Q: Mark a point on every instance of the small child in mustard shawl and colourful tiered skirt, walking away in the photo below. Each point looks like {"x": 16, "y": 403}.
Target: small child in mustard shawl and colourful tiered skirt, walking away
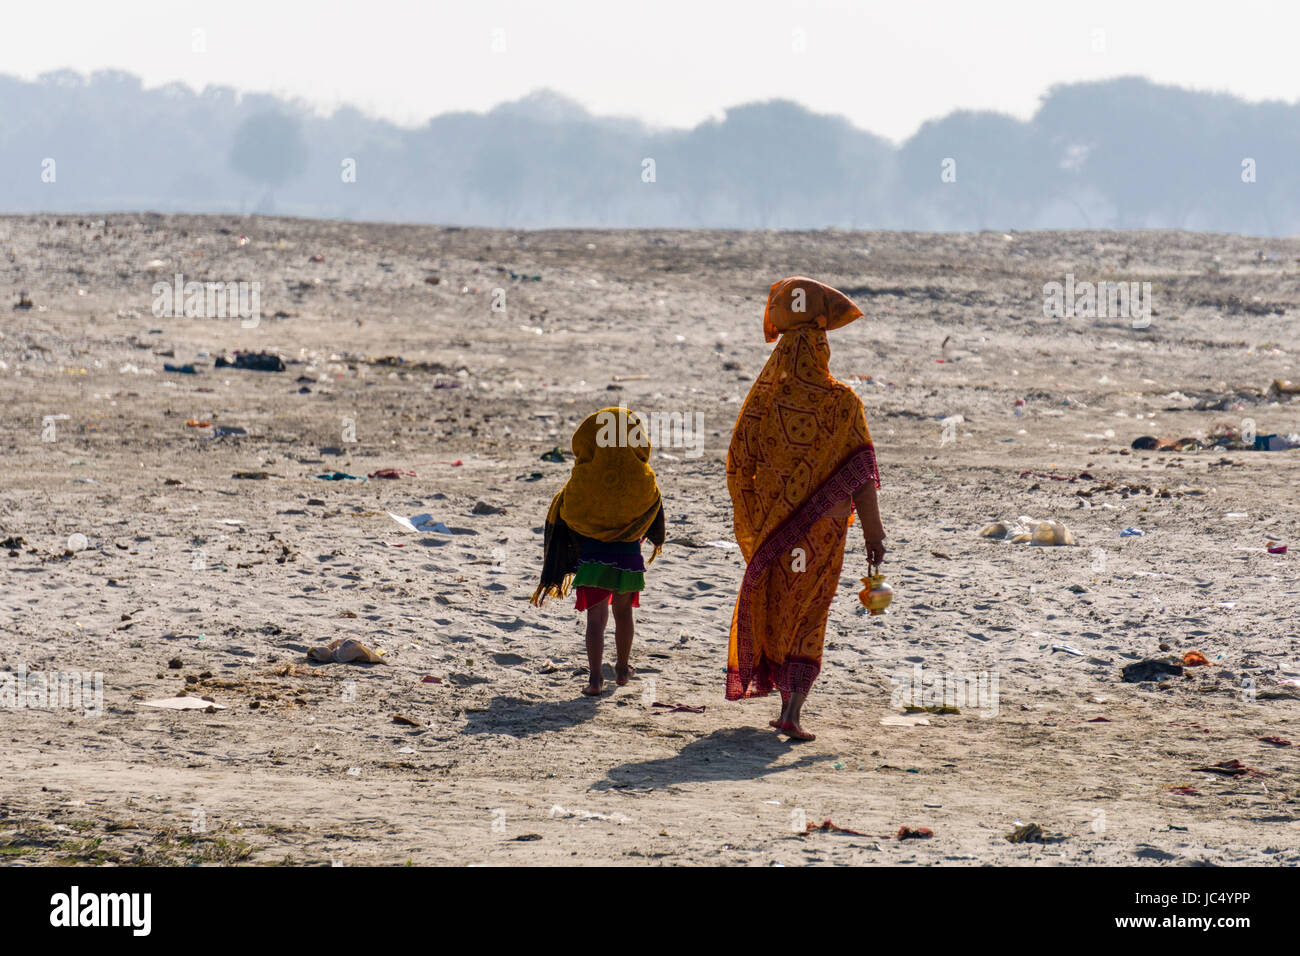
{"x": 595, "y": 531}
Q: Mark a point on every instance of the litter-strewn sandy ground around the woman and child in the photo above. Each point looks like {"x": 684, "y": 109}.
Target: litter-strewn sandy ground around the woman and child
{"x": 193, "y": 581}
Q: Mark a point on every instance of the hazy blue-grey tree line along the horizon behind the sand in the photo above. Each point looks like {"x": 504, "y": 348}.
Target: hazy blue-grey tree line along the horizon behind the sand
{"x": 1119, "y": 154}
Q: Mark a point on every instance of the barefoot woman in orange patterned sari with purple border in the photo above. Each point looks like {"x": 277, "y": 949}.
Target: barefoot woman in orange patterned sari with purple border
{"x": 800, "y": 455}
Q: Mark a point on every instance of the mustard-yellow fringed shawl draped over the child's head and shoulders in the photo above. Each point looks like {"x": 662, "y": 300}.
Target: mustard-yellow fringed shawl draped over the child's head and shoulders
{"x": 612, "y": 496}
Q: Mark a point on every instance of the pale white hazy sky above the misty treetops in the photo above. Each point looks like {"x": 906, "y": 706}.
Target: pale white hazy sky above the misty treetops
{"x": 889, "y": 67}
